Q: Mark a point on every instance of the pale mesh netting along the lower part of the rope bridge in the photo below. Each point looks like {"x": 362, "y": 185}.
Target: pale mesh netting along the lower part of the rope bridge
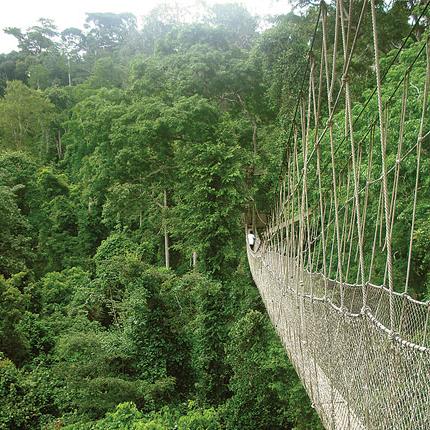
{"x": 369, "y": 379}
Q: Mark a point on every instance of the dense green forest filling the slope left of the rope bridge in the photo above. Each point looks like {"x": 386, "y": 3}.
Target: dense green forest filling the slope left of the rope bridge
{"x": 120, "y": 147}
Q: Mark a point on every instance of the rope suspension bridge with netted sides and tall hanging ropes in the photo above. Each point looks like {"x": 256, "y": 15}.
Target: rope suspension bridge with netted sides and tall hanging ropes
{"x": 335, "y": 263}
